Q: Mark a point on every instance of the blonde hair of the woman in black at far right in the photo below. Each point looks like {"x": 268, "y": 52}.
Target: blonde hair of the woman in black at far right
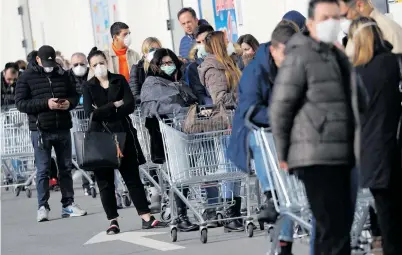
{"x": 364, "y": 40}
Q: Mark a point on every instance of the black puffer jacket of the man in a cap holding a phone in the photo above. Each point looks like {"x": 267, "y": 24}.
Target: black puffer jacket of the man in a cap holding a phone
{"x": 34, "y": 89}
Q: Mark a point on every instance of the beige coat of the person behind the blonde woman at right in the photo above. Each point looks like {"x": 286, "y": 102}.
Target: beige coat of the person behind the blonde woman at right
{"x": 391, "y": 30}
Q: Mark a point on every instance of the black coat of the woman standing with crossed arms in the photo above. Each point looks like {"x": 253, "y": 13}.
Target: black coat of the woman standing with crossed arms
{"x": 117, "y": 119}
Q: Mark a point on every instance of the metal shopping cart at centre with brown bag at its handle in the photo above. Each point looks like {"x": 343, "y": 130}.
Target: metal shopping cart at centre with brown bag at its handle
{"x": 193, "y": 160}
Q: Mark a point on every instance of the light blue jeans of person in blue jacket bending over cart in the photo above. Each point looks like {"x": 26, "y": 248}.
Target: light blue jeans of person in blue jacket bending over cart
{"x": 287, "y": 229}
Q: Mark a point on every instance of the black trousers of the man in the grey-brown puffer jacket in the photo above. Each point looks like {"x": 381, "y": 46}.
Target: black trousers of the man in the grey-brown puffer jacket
{"x": 329, "y": 193}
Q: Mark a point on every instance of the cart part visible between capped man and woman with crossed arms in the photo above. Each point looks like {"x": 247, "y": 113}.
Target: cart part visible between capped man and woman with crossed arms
{"x": 80, "y": 123}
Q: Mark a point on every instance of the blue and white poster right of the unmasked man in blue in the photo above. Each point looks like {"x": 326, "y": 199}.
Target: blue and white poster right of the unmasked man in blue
{"x": 225, "y": 18}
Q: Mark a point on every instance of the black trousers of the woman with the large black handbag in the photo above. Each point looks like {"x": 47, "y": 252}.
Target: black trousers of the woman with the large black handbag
{"x": 130, "y": 172}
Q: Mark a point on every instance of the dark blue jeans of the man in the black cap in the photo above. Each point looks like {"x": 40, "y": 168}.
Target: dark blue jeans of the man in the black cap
{"x": 61, "y": 142}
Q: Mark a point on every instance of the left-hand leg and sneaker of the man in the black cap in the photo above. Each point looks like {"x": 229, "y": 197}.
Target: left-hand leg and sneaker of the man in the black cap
{"x": 42, "y": 153}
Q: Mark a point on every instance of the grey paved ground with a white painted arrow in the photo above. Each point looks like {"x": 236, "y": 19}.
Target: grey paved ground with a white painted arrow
{"x": 22, "y": 235}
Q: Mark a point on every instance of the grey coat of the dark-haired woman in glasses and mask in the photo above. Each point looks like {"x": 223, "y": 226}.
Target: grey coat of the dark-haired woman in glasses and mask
{"x": 160, "y": 97}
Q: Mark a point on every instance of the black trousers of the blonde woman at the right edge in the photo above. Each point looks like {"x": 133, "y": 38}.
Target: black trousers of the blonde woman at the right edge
{"x": 389, "y": 212}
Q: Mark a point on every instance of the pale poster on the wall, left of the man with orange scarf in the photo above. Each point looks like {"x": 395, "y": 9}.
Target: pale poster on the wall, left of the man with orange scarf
{"x": 101, "y": 23}
